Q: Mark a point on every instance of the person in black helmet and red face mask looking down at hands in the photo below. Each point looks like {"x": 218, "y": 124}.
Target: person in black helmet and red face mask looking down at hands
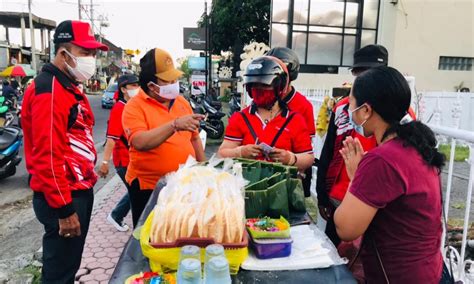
{"x": 267, "y": 129}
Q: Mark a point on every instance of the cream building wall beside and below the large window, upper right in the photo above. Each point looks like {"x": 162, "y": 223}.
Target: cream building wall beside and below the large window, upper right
{"x": 416, "y": 33}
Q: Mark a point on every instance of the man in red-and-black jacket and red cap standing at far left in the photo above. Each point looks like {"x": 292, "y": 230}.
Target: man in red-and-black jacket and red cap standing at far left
{"x": 57, "y": 122}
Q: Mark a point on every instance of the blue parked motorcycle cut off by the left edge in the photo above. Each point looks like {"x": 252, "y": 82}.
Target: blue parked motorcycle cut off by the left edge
{"x": 10, "y": 143}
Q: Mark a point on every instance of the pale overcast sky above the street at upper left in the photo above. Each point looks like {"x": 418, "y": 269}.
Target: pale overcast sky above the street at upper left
{"x": 133, "y": 24}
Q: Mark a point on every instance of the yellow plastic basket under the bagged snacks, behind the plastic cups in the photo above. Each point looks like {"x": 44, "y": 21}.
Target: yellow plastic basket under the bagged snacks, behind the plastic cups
{"x": 166, "y": 259}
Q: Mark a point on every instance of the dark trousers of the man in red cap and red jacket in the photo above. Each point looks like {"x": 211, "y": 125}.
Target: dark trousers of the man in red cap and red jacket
{"x": 62, "y": 256}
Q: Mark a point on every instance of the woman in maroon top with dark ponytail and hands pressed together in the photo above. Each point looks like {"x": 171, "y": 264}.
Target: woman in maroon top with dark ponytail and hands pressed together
{"x": 394, "y": 199}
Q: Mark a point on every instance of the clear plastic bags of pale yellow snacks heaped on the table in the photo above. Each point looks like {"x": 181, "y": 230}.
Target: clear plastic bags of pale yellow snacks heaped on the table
{"x": 200, "y": 201}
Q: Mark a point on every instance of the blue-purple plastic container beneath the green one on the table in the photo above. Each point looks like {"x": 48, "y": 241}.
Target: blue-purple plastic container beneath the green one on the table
{"x": 271, "y": 248}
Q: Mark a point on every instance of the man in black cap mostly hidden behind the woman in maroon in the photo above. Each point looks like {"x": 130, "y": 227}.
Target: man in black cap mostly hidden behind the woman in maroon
{"x": 332, "y": 181}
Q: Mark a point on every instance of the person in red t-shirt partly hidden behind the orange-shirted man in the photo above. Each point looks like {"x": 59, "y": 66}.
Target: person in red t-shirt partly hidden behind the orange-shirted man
{"x": 118, "y": 145}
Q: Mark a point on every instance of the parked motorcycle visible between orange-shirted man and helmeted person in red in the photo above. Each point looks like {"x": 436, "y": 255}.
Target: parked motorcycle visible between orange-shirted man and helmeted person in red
{"x": 212, "y": 124}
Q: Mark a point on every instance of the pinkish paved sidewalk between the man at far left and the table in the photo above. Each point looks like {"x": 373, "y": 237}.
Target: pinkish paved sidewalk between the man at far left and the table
{"x": 104, "y": 244}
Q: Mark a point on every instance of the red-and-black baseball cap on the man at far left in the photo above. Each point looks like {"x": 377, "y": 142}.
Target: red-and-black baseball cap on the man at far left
{"x": 78, "y": 33}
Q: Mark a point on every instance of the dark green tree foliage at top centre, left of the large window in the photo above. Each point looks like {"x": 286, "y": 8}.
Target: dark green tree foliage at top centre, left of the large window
{"x": 238, "y": 20}
